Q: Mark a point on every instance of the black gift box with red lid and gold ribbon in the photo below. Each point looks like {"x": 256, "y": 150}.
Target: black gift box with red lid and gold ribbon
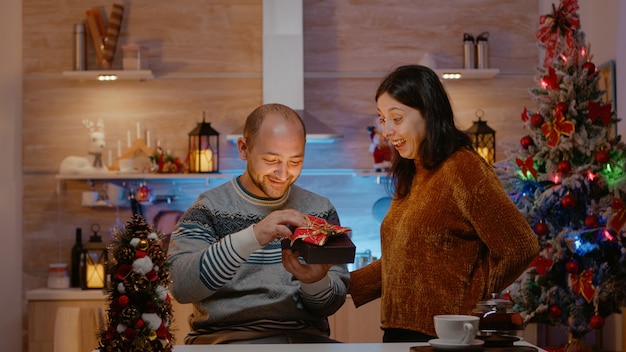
{"x": 322, "y": 243}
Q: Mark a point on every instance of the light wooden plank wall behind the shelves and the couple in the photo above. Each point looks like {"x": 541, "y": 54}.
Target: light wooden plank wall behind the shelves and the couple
{"x": 206, "y": 56}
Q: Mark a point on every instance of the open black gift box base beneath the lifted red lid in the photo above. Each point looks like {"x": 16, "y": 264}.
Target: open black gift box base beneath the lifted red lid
{"x": 338, "y": 249}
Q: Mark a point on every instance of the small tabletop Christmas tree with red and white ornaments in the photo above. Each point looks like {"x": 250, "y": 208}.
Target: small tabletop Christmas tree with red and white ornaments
{"x": 140, "y": 308}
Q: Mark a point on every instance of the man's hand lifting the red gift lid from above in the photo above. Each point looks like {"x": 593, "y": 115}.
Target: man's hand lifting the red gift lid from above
{"x": 275, "y": 225}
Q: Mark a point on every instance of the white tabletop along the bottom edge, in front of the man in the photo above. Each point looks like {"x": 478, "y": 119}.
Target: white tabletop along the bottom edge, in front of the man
{"x": 314, "y": 347}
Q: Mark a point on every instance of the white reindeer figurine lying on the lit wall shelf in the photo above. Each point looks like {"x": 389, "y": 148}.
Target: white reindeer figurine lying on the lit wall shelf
{"x": 93, "y": 162}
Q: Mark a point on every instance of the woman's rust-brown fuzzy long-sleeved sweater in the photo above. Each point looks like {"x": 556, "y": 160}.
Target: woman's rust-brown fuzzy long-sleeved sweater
{"x": 454, "y": 240}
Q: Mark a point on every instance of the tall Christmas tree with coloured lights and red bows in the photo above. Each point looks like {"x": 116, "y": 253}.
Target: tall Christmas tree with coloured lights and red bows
{"x": 568, "y": 178}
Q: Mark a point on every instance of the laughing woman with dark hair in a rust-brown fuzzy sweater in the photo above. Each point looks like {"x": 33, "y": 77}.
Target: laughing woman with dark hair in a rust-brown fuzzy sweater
{"x": 451, "y": 235}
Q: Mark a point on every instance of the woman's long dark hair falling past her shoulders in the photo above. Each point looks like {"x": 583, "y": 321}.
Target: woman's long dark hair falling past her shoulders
{"x": 420, "y": 88}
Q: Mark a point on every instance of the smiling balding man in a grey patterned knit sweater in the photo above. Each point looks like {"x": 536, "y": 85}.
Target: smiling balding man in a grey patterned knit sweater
{"x": 225, "y": 252}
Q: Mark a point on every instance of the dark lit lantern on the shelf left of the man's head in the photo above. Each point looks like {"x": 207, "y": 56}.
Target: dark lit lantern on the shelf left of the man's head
{"x": 204, "y": 148}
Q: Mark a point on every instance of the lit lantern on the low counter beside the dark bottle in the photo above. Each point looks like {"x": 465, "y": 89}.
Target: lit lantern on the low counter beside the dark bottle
{"x": 93, "y": 262}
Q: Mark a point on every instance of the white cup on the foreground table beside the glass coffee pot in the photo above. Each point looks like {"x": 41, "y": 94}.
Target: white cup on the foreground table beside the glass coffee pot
{"x": 456, "y": 329}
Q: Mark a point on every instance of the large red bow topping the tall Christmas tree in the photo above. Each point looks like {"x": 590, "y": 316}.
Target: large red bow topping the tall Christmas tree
{"x": 563, "y": 22}
